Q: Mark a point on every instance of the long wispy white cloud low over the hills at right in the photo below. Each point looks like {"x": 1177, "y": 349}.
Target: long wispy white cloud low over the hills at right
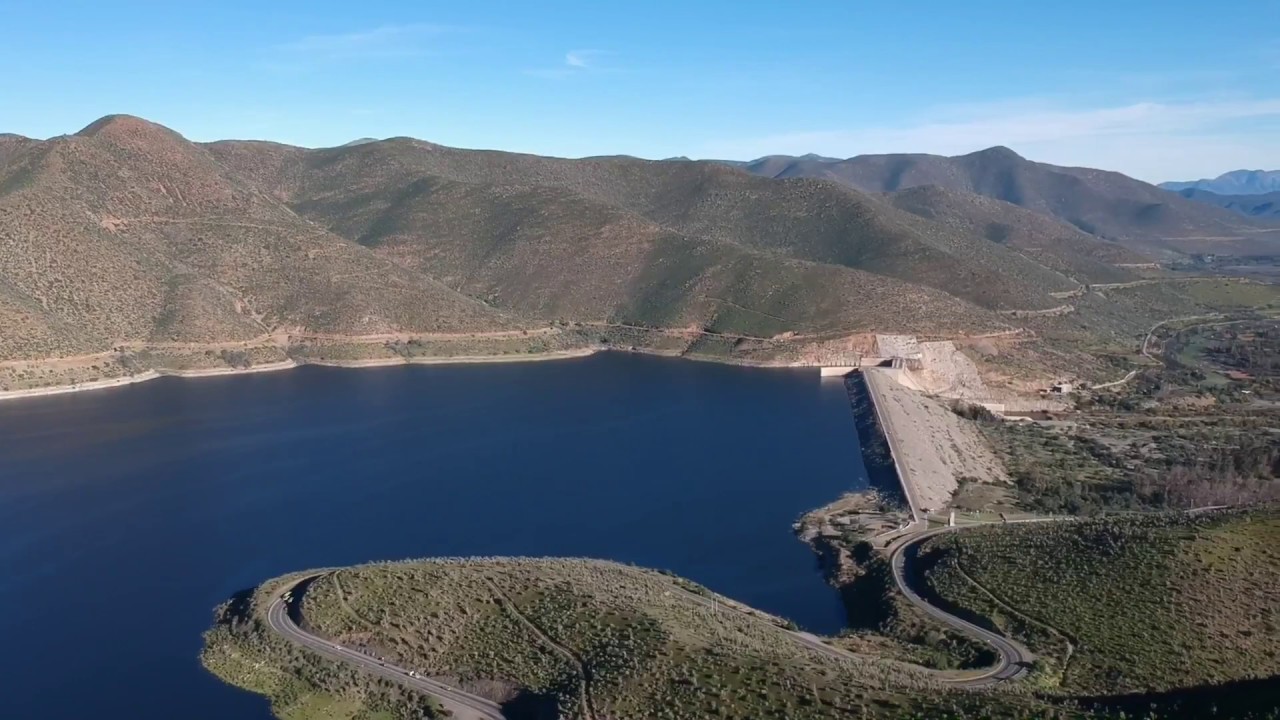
{"x": 1149, "y": 140}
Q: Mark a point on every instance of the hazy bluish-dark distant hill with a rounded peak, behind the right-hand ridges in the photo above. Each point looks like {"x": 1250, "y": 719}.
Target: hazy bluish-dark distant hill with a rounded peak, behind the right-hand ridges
{"x": 1100, "y": 203}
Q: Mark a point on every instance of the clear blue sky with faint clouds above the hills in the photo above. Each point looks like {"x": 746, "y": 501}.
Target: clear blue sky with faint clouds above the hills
{"x": 1160, "y": 90}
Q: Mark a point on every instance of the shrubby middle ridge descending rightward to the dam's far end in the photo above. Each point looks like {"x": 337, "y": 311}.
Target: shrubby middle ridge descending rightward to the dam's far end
{"x": 548, "y": 254}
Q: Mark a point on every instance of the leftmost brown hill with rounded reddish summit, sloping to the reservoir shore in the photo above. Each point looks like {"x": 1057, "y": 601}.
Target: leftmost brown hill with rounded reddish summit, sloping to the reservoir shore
{"x": 129, "y": 233}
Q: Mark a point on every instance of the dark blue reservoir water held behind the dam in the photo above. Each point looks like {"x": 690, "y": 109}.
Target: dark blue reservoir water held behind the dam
{"x": 126, "y": 516}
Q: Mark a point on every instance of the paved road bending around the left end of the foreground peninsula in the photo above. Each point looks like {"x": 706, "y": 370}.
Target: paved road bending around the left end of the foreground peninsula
{"x": 465, "y": 707}
